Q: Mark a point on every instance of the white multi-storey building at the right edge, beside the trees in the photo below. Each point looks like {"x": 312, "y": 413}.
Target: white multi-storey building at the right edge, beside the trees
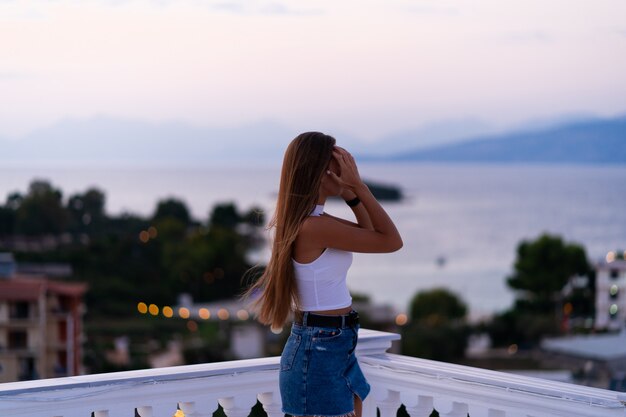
{"x": 611, "y": 293}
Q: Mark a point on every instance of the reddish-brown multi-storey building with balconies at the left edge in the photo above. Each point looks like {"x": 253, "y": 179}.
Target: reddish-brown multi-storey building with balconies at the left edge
{"x": 40, "y": 324}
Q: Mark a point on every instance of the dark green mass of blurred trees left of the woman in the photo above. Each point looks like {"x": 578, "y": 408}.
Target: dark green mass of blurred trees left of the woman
{"x": 131, "y": 259}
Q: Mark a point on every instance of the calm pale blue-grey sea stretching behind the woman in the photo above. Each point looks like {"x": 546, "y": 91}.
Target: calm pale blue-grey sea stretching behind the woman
{"x": 461, "y": 223}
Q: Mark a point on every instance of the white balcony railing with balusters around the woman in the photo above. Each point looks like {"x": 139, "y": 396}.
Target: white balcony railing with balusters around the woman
{"x": 421, "y": 385}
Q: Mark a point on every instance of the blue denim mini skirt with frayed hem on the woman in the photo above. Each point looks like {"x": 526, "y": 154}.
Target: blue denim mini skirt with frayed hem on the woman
{"x": 319, "y": 372}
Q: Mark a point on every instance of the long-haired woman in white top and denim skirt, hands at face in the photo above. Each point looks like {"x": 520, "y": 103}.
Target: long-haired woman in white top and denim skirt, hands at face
{"x": 306, "y": 275}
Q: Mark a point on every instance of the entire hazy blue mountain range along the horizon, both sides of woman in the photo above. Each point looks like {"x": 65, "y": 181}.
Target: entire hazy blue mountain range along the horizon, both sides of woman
{"x": 110, "y": 141}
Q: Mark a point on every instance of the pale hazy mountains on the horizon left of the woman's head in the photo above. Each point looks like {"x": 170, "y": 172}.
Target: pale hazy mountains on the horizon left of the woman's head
{"x": 113, "y": 141}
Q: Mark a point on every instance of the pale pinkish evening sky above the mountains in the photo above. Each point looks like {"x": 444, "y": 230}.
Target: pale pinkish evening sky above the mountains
{"x": 365, "y": 67}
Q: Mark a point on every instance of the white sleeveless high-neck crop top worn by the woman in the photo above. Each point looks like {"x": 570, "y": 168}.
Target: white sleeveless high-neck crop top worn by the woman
{"x": 322, "y": 283}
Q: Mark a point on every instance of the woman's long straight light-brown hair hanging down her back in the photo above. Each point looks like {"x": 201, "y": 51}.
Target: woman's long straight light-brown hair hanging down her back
{"x": 304, "y": 164}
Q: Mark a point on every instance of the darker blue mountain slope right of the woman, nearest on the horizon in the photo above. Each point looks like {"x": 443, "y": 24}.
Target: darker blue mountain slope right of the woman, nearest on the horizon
{"x": 589, "y": 142}
